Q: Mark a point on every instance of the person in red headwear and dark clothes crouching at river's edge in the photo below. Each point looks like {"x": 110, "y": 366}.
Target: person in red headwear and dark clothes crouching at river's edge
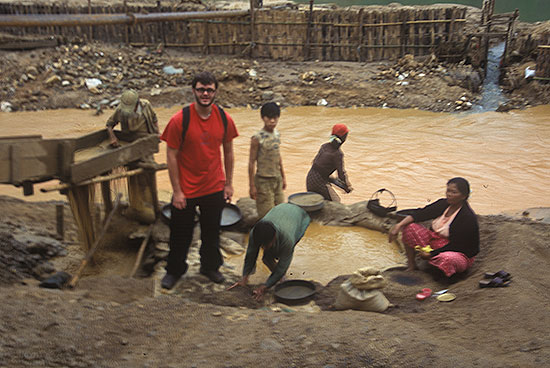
{"x": 330, "y": 158}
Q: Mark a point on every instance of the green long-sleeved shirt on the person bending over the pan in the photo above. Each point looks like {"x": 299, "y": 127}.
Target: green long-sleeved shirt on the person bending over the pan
{"x": 290, "y": 223}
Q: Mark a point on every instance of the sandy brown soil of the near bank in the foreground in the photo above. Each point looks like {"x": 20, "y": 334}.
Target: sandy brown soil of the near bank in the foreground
{"x": 110, "y": 319}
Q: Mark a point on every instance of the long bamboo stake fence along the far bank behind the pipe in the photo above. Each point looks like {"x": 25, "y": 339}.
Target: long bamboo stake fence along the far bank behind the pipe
{"x": 354, "y": 34}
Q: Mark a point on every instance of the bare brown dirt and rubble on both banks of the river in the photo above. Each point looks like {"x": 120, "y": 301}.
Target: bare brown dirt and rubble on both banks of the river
{"x": 110, "y": 319}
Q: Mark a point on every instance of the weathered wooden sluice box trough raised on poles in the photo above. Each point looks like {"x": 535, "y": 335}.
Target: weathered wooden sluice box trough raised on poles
{"x": 27, "y": 160}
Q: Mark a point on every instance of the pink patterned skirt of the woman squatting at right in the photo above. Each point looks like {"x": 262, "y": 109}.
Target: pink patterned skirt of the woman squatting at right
{"x": 448, "y": 262}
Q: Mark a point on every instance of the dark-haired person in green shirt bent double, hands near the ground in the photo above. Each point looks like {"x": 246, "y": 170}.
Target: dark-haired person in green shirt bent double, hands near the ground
{"x": 277, "y": 233}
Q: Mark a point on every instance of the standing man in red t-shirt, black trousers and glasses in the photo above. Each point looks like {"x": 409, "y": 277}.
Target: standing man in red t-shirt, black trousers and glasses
{"x": 198, "y": 180}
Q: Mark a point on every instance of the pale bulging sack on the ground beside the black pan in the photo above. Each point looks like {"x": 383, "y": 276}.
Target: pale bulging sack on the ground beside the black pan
{"x": 349, "y": 297}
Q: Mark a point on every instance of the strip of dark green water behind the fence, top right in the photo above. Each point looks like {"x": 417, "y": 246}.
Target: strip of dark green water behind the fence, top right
{"x": 529, "y": 10}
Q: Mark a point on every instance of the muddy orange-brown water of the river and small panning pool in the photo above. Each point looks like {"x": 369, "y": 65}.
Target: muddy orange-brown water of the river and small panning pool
{"x": 412, "y": 153}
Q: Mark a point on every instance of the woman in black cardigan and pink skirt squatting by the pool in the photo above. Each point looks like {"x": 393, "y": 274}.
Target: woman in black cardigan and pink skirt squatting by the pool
{"x": 454, "y": 232}
